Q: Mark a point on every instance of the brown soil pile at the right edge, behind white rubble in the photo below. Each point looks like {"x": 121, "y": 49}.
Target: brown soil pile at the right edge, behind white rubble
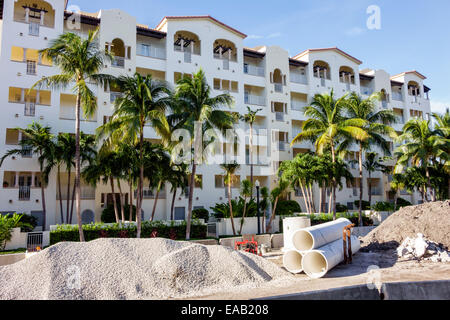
{"x": 430, "y": 219}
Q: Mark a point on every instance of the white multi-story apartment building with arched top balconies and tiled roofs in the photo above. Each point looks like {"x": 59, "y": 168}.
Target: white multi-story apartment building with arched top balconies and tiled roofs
{"x": 264, "y": 78}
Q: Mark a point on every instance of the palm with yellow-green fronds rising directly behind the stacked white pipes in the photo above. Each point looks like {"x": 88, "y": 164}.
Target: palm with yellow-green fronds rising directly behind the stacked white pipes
{"x": 327, "y": 126}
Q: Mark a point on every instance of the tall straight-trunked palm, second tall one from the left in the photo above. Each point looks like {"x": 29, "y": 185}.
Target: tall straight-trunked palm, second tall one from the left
{"x": 144, "y": 101}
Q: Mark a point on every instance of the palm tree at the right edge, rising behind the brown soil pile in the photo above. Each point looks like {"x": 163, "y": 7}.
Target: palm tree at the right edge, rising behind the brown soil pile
{"x": 422, "y": 147}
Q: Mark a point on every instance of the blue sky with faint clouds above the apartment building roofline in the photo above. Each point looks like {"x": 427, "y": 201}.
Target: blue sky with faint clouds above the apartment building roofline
{"x": 414, "y": 35}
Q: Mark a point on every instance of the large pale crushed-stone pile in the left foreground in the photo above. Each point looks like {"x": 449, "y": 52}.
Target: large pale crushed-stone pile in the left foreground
{"x": 132, "y": 269}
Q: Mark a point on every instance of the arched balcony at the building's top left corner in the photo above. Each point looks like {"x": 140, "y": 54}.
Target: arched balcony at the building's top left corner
{"x": 37, "y": 14}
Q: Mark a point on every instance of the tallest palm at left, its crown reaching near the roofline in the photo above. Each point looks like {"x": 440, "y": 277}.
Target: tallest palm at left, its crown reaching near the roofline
{"x": 80, "y": 61}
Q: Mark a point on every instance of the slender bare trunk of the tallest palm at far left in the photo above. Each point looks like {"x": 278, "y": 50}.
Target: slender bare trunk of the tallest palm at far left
{"x": 78, "y": 166}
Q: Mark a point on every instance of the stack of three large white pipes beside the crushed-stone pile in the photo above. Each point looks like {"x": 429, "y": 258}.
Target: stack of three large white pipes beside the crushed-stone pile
{"x": 316, "y": 250}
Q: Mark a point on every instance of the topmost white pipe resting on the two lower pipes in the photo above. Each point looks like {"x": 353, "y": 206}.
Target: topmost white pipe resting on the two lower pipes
{"x": 315, "y": 237}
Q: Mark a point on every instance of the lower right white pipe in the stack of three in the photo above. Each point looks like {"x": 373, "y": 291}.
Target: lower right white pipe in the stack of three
{"x": 317, "y": 263}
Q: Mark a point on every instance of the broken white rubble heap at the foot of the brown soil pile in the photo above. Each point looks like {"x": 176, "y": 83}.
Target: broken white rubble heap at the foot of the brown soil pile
{"x": 421, "y": 248}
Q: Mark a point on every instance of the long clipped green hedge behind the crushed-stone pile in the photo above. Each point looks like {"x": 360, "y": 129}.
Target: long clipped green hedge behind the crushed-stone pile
{"x": 149, "y": 230}
